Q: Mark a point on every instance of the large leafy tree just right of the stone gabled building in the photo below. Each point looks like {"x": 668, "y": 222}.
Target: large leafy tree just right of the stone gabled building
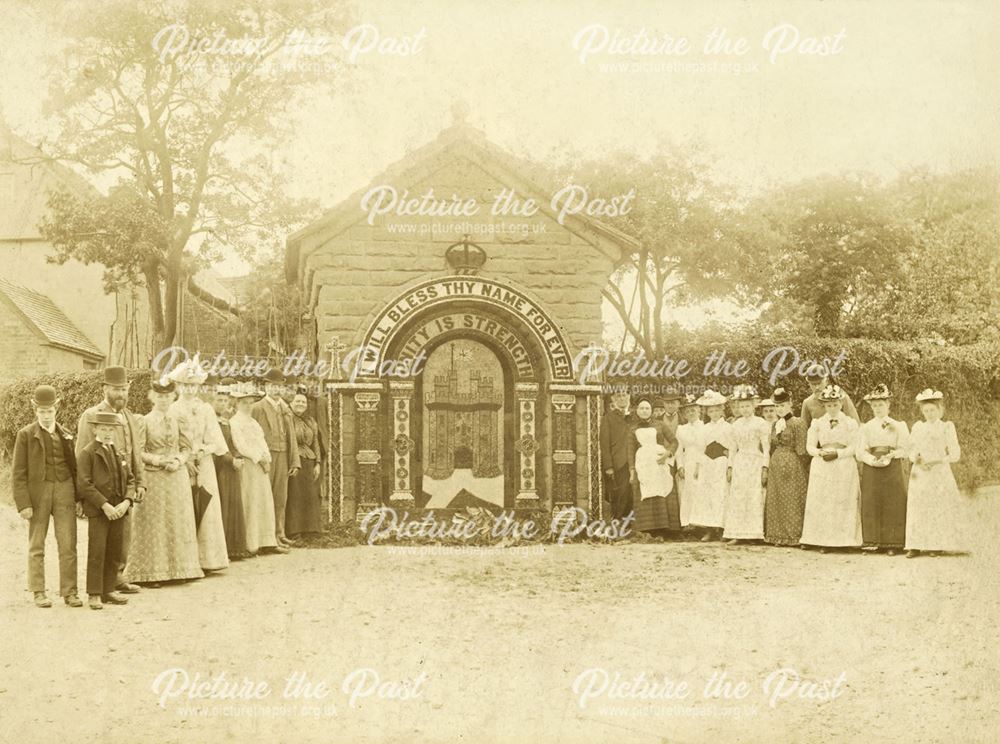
{"x": 695, "y": 240}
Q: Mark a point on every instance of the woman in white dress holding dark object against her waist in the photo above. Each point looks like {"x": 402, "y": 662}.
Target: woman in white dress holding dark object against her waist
{"x": 714, "y": 467}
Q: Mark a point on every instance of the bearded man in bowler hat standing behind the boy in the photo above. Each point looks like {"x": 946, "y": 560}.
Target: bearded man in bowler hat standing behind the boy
{"x": 127, "y": 439}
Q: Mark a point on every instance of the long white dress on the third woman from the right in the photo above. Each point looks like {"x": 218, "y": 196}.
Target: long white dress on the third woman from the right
{"x": 833, "y": 499}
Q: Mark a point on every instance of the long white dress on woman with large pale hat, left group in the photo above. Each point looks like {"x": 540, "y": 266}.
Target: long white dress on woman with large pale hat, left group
{"x": 200, "y": 425}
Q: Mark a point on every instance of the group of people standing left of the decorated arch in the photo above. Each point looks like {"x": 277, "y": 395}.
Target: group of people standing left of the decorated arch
{"x": 217, "y": 471}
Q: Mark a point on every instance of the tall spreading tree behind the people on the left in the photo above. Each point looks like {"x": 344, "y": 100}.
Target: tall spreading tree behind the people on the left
{"x": 189, "y": 133}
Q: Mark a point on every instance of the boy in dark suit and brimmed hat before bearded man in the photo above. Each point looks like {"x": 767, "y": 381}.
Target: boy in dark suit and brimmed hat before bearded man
{"x": 106, "y": 487}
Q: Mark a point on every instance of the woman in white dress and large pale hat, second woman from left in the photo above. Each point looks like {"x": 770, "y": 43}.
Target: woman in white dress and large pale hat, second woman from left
{"x": 201, "y": 427}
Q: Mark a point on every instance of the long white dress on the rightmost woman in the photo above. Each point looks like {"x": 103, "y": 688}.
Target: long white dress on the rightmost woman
{"x": 933, "y": 500}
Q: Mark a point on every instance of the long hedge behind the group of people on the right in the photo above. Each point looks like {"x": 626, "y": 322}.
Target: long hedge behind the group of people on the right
{"x": 969, "y": 377}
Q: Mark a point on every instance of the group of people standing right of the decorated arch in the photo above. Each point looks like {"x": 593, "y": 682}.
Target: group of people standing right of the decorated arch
{"x": 819, "y": 479}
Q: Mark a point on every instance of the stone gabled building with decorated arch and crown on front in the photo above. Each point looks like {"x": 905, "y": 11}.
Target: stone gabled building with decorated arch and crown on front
{"x": 494, "y": 307}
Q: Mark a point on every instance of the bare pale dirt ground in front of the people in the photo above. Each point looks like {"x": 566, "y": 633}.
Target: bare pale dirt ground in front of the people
{"x": 487, "y": 646}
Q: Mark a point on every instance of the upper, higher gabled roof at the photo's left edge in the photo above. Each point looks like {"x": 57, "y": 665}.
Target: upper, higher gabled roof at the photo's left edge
{"x": 34, "y": 177}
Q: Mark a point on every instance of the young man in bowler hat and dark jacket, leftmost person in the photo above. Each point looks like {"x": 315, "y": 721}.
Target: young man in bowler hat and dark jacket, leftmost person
{"x": 42, "y": 478}
